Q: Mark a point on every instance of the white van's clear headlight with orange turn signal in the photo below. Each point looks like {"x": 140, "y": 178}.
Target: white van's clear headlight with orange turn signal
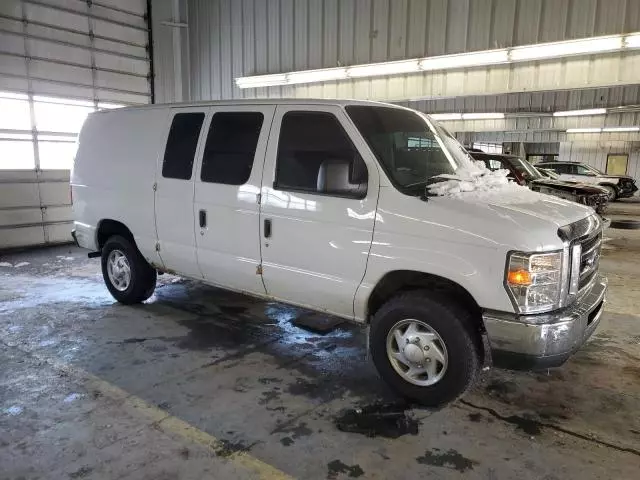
{"x": 534, "y": 281}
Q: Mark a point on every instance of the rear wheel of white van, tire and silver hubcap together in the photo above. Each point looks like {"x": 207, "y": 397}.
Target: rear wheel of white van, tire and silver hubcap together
{"x": 128, "y": 276}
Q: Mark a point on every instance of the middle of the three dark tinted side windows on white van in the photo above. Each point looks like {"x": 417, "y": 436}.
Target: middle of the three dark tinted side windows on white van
{"x": 231, "y": 147}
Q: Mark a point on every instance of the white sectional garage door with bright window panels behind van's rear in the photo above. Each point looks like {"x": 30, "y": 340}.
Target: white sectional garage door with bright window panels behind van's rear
{"x": 59, "y": 61}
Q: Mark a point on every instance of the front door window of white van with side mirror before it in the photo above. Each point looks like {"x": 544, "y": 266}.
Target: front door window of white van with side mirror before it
{"x": 315, "y": 155}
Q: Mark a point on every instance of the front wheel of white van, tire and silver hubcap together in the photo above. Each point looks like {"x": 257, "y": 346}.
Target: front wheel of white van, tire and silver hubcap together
{"x": 424, "y": 348}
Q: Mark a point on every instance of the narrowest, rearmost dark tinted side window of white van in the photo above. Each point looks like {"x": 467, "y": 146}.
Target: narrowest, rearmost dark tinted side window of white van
{"x": 181, "y": 145}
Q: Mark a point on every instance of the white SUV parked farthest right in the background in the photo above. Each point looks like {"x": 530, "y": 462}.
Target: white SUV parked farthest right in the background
{"x": 618, "y": 186}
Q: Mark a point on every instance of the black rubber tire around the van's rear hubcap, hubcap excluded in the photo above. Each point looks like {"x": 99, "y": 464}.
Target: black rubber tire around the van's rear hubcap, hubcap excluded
{"x": 143, "y": 275}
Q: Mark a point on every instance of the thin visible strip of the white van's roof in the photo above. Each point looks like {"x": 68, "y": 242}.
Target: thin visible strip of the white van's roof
{"x": 262, "y": 101}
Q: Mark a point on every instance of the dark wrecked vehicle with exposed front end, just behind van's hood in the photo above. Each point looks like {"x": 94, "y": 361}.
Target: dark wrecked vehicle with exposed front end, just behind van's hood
{"x": 526, "y": 174}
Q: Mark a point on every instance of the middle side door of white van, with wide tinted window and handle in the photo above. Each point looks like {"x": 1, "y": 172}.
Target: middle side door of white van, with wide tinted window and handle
{"x": 227, "y": 189}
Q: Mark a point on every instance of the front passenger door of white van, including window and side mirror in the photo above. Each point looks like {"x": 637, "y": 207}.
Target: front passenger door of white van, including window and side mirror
{"x": 319, "y": 198}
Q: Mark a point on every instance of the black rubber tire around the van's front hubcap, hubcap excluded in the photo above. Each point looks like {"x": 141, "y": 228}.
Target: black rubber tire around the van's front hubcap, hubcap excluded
{"x": 454, "y": 325}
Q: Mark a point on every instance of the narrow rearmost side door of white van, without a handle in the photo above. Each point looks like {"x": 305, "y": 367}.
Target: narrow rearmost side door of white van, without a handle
{"x": 175, "y": 188}
